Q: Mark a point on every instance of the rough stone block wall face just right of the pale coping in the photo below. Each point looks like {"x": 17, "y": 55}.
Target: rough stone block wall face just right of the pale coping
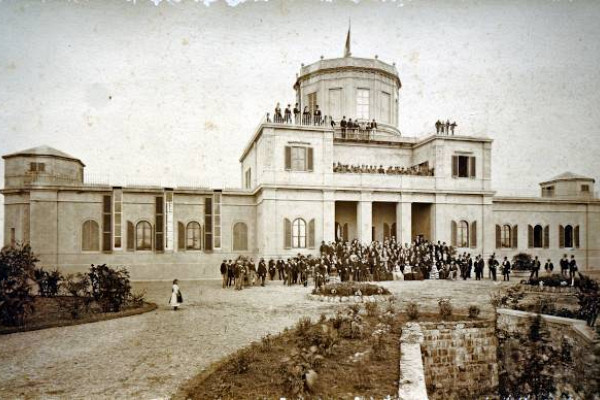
{"x": 460, "y": 359}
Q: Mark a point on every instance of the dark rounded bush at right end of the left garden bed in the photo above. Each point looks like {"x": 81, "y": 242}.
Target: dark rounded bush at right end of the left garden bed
{"x": 110, "y": 287}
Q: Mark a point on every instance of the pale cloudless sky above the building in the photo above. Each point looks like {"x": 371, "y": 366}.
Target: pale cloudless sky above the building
{"x": 173, "y": 92}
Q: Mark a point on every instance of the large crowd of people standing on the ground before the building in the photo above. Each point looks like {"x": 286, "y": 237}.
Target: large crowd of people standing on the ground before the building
{"x": 388, "y": 260}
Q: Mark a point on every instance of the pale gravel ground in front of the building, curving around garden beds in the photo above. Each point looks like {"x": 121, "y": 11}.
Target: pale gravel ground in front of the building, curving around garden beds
{"x": 148, "y": 356}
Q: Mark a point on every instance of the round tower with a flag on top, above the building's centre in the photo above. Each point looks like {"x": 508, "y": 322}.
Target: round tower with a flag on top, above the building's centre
{"x": 357, "y": 88}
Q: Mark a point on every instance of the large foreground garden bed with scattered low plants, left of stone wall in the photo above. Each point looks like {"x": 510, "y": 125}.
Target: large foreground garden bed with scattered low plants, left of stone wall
{"x": 352, "y": 354}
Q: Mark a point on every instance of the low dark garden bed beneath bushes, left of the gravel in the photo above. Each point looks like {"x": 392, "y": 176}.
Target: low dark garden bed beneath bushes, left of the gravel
{"x": 52, "y": 312}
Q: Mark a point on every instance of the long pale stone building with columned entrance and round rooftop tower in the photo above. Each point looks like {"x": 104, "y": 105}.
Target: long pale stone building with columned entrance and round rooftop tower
{"x": 291, "y": 199}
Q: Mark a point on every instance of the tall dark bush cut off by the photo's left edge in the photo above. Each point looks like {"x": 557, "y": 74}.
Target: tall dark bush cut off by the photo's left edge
{"x": 17, "y": 266}
